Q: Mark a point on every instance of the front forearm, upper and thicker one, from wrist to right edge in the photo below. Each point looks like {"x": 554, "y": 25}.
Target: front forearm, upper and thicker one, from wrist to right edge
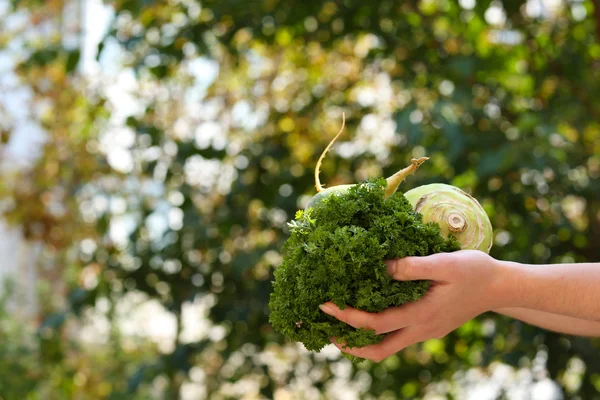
{"x": 566, "y": 289}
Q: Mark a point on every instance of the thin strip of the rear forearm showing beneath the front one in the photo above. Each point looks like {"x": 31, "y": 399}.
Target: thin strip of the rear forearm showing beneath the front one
{"x": 553, "y": 322}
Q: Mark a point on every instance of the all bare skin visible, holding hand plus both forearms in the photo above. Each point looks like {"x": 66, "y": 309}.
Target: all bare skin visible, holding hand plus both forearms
{"x": 562, "y": 297}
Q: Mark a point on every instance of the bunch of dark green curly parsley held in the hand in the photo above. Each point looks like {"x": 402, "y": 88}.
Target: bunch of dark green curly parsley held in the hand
{"x": 336, "y": 252}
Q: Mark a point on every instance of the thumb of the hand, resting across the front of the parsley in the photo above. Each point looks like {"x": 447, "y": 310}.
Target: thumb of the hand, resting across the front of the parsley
{"x": 417, "y": 268}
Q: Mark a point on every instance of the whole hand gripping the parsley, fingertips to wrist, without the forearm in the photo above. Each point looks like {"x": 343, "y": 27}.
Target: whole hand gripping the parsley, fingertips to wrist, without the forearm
{"x": 464, "y": 284}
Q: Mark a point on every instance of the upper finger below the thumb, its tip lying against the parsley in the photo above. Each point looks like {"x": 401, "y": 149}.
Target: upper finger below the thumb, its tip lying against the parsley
{"x": 385, "y": 321}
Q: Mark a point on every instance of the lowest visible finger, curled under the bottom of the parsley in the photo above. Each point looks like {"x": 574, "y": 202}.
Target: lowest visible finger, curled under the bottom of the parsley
{"x": 392, "y": 344}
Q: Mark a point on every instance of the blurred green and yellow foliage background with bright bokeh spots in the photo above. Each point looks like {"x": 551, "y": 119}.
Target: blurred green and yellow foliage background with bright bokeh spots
{"x": 151, "y": 153}
